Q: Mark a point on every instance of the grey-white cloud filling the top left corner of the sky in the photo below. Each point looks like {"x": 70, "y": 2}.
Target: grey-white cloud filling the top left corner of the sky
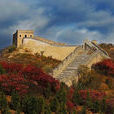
{"x": 12, "y": 9}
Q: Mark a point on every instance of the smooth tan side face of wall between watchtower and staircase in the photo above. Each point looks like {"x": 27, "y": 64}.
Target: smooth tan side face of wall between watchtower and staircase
{"x": 56, "y": 51}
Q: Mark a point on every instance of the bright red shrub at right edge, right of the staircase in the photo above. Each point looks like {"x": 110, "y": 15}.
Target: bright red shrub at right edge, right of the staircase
{"x": 106, "y": 67}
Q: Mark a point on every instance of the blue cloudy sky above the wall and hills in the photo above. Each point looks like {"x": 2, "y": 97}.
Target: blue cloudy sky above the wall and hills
{"x": 69, "y": 21}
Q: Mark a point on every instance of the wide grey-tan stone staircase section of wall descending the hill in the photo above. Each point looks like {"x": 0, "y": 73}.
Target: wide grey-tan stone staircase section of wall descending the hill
{"x": 67, "y": 71}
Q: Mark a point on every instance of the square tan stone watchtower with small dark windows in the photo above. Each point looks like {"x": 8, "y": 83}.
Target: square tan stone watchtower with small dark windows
{"x": 19, "y": 35}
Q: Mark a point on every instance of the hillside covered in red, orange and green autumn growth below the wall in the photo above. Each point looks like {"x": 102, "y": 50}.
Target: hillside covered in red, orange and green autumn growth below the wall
{"x": 24, "y": 86}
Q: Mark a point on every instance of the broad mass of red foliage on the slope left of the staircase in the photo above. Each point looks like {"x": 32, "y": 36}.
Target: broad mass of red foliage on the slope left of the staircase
{"x": 19, "y": 78}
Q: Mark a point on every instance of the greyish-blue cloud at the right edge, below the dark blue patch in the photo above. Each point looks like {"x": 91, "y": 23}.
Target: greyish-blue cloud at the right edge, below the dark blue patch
{"x": 99, "y": 19}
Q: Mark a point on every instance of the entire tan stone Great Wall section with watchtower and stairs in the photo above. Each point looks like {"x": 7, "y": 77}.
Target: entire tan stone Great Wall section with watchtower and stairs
{"x": 72, "y": 56}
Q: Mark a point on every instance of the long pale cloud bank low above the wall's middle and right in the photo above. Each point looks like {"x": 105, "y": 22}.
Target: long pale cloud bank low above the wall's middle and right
{"x": 73, "y": 35}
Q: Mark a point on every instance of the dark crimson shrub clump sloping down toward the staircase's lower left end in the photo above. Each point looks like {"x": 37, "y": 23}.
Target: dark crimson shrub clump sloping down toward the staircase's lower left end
{"x": 36, "y": 74}
